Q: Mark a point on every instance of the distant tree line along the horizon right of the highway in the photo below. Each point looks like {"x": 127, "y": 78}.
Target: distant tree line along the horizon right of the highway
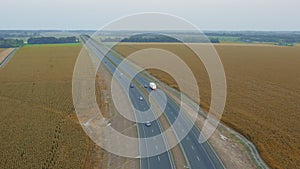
{"x": 277, "y": 38}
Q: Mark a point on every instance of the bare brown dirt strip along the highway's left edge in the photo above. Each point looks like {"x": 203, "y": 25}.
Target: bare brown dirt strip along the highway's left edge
{"x": 108, "y": 160}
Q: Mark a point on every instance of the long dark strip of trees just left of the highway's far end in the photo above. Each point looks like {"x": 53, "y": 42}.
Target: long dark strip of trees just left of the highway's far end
{"x": 52, "y": 40}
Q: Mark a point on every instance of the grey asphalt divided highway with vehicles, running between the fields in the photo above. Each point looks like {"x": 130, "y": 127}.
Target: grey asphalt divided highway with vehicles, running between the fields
{"x": 197, "y": 155}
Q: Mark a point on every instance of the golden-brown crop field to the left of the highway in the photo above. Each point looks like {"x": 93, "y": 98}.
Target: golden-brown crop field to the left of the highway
{"x": 38, "y": 128}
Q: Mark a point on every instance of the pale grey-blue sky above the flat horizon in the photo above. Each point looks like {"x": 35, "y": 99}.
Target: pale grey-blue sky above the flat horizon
{"x": 277, "y": 15}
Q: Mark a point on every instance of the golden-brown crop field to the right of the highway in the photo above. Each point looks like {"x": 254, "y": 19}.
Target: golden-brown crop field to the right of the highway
{"x": 263, "y": 94}
